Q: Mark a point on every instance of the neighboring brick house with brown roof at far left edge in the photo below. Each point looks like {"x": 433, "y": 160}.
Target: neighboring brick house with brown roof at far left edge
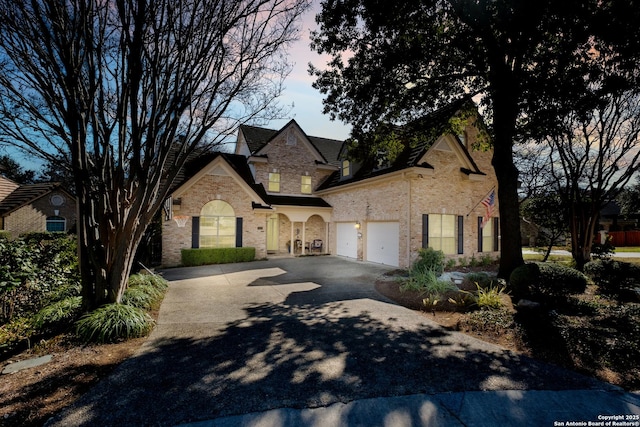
{"x": 35, "y": 208}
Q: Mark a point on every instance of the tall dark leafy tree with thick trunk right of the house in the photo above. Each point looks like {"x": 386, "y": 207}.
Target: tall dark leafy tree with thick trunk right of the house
{"x": 393, "y": 62}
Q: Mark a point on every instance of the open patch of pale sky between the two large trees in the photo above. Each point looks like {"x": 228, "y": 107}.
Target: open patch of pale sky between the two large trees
{"x": 307, "y": 101}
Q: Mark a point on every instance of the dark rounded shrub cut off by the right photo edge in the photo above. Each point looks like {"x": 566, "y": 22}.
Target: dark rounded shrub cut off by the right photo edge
{"x": 613, "y": 276}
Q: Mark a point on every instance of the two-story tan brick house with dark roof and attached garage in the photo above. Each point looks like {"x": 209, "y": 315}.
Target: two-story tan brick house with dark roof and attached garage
{"x": 283, "y": 186}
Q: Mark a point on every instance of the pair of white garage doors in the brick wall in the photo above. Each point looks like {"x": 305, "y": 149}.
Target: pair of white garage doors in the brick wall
{"x": 381, "y": 241}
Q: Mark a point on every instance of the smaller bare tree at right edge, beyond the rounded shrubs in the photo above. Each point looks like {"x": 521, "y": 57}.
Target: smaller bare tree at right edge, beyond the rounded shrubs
{"x": 592, "y": 161}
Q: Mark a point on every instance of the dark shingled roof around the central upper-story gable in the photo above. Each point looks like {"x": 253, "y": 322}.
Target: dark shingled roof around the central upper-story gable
{"x": 257, "y": 138}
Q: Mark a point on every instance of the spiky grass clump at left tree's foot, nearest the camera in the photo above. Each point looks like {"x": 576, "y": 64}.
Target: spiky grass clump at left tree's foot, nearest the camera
{"x": 114, "y": 322}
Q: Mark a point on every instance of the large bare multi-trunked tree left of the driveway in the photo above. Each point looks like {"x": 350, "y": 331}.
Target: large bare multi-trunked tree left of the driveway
{"x": 125, "y": 90}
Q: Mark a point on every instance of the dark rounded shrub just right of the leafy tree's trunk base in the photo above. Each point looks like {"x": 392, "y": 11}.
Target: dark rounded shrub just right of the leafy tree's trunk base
{"x": 541, "y": 279}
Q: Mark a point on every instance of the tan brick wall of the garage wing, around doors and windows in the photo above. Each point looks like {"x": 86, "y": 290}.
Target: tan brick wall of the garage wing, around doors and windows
{"x": 406, "y": 198}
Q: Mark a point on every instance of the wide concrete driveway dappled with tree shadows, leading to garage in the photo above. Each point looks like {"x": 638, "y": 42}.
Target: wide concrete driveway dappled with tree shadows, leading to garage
{"x": 309, "y": 342}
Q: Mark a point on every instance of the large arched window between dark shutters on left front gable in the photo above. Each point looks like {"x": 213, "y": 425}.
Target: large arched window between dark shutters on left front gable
{"x": 217, "y": 225}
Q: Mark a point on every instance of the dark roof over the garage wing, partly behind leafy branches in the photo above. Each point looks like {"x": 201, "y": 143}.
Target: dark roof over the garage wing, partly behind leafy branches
{"x": 432, "y": 127}
